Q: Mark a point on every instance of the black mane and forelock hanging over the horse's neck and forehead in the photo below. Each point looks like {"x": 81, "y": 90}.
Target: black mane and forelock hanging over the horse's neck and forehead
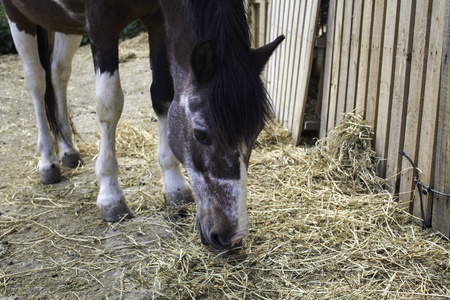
{"x": 239, "y": 106}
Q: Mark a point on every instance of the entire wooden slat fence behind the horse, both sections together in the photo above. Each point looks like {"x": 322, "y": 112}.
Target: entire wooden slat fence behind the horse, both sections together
{"x": 385, "y": 59}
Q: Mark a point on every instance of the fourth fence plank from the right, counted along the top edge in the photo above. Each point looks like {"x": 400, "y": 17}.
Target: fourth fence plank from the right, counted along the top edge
{"x": 386, "y": 80}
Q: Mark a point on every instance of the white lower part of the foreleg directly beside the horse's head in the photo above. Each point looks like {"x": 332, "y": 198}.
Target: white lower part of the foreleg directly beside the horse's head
{"x": 174, "y": 181}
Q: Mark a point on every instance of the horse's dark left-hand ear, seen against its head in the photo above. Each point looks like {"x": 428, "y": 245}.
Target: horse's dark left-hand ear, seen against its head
{"x": 203, "y": 61}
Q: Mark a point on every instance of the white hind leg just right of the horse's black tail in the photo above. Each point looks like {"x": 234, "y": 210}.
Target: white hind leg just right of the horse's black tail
{"x": 63, "y": 52}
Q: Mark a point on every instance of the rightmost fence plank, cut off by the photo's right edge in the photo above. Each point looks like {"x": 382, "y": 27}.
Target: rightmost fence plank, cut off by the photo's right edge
{"x": 441, "y": 205}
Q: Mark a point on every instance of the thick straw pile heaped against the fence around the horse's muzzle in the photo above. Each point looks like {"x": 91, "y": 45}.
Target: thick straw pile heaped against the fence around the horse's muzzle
{"x": 321, "y": 227}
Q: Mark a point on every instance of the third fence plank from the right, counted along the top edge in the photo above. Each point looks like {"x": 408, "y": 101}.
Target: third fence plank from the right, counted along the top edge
{"x": 400, "y": 92}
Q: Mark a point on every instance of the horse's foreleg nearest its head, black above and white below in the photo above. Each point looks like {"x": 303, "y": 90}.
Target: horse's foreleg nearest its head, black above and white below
{"x": 175, "y": 189}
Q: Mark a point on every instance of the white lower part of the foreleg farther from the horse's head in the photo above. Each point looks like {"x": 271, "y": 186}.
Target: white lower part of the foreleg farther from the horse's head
{"x": 109, "y": 104}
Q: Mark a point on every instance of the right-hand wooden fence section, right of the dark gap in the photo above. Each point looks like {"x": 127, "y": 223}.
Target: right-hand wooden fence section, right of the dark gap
{"x": 387, "y": 59}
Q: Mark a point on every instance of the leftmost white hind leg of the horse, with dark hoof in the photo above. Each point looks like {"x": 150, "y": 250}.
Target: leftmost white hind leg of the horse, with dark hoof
{"x": 26, "y": 44}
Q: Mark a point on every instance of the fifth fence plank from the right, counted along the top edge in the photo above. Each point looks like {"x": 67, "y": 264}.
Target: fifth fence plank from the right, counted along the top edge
{"x": 375, "y": 63}
